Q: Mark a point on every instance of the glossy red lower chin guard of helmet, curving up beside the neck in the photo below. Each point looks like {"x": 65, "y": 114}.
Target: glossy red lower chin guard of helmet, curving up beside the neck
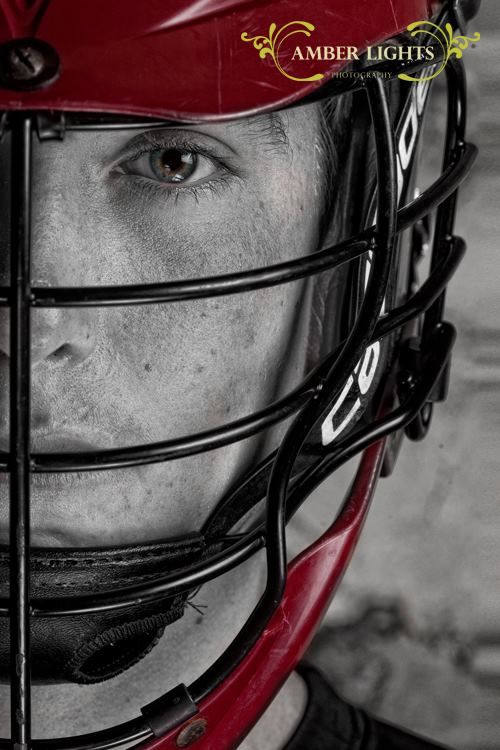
{"x": 232, "y": 709}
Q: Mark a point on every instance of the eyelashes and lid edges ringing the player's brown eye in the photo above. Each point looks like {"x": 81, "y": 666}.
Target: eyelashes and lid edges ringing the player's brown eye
{"x": 149, "y": 187}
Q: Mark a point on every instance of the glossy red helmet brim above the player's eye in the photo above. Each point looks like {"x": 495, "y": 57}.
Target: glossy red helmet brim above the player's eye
{"x": 185, "y": 59}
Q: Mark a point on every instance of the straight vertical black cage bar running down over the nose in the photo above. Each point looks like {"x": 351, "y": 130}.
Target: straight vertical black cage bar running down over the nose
{"x": 20, "y": 345}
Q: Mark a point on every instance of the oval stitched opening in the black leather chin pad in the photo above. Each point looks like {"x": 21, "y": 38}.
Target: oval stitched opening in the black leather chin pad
{"x": 111, "y": 653}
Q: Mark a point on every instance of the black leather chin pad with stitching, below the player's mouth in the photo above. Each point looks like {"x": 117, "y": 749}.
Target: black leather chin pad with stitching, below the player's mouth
{"x": 94, "y": 647}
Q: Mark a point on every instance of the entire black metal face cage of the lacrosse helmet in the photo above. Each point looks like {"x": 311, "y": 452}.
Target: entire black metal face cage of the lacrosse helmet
{"x": 420, "y": 382}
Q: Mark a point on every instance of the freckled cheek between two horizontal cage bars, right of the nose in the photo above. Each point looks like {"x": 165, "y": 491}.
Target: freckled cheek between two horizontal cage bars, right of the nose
{"x": 194, "y": 366}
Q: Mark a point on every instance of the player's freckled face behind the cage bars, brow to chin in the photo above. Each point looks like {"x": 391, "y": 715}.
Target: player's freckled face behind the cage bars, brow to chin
{"x": 125, "y": 208}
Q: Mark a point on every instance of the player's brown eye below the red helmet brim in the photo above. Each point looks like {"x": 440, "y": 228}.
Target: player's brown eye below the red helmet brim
{"x": 174, "y": 162}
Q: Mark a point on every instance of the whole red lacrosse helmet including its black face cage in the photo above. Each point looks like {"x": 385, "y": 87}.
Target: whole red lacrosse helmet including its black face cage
{"x": 100, "y": 66}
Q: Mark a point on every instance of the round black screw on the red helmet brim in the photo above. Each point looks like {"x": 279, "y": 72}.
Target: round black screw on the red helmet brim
{"x": 27, "y": 64}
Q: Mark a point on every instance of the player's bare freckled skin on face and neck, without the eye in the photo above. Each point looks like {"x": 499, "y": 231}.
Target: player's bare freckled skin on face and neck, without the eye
{"x": 126, "y": 376}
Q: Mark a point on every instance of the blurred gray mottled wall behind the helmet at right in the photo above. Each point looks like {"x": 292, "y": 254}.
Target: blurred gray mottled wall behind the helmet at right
{"x": 414, "y": 632}
